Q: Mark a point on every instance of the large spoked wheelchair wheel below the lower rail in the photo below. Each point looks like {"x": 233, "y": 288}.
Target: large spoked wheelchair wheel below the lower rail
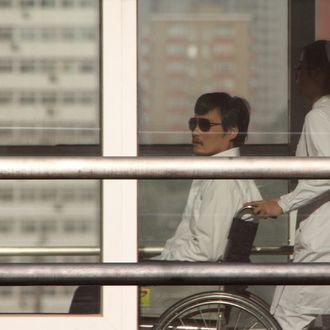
{"x": 218, "y": 311}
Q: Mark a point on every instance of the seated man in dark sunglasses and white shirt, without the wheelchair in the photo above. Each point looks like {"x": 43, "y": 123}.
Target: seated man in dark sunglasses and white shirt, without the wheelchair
{"x": 219, "y": 127}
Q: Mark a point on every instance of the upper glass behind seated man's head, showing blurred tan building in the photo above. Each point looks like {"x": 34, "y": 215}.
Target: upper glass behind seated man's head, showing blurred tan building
{"x": 190, "y": 47}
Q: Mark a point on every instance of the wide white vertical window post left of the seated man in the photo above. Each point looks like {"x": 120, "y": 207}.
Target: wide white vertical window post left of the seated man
{"x": 119, "y": 139}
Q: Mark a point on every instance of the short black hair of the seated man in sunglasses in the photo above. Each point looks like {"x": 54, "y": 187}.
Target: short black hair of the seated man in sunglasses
{"x": 234, "y": 111}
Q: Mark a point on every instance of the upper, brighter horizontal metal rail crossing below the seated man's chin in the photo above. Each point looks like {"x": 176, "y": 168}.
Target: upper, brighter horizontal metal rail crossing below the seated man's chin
{"x": 163, "y": 167}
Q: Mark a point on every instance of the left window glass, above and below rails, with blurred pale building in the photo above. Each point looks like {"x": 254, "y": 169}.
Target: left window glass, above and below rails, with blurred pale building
{"x": 49, "y": 95}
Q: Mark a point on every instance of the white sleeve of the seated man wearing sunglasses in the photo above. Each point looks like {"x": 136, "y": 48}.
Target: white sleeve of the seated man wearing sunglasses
{"x": 208, "y": 233}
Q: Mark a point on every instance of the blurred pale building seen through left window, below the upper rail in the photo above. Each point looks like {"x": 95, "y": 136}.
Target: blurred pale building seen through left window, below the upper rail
{"x": 48, "y": 213}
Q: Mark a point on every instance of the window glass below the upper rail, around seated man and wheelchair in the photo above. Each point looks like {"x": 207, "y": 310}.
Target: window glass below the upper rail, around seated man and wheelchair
{"x": 160, "y": 207}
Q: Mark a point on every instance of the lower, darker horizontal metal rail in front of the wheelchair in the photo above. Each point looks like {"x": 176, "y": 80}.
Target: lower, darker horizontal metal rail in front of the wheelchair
{"x": 165, "y": 273}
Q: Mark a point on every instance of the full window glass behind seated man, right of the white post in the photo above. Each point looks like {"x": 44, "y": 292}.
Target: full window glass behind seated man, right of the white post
{"x": 187, "y": 48}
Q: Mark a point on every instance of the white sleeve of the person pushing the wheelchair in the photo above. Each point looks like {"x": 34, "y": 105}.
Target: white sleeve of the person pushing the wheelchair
{"x": 316, "y": 140}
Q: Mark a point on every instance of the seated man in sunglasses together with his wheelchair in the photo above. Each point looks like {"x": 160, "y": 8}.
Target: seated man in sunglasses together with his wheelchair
{"x": 211, "y": 228}
